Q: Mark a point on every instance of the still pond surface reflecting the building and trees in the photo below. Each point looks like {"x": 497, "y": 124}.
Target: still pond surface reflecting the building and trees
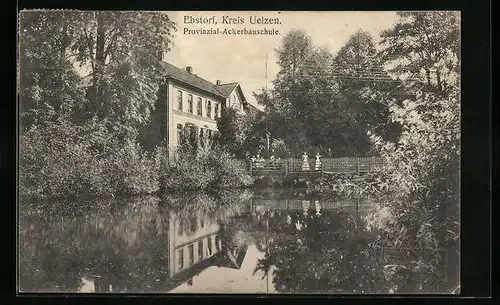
{"x": 227, "y": 243}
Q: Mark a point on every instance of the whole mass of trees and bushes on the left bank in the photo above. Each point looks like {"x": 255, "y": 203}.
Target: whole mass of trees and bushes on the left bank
{"x": 96, "y": 132}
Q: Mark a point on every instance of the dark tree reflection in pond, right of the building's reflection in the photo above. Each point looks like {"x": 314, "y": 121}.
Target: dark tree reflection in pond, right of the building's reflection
{"x": 333, "y": 252}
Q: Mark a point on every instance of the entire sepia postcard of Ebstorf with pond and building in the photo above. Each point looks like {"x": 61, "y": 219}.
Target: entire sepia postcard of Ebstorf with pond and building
{"x": 239, "y": 152}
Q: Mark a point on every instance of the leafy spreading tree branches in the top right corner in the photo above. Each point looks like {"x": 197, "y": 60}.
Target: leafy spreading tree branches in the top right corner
{"x": 426, "y": 42}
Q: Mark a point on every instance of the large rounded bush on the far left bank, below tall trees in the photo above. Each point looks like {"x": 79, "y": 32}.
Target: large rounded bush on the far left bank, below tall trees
{"x": 64, "y": 160}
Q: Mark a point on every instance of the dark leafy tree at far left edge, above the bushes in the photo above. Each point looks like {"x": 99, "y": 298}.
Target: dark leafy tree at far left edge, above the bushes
{"x": 48, "y": 83}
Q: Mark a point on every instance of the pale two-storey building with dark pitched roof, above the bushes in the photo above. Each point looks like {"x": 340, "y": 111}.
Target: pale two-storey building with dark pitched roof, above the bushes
{"x": 188, "y": 107}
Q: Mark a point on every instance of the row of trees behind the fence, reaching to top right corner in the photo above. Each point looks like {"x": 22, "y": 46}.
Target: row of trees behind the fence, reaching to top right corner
{"x": 327, "y": 103}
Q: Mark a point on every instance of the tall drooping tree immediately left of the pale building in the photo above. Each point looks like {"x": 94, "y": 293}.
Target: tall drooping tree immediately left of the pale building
{"x": 122, "y": 50}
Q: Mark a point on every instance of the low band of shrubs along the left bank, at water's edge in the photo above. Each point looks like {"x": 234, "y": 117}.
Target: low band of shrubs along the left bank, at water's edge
{"x": 63, "y": 160}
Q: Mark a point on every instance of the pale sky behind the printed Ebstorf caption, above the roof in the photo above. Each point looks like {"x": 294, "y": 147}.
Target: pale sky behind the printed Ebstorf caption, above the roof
{"x": 242, "y": 58}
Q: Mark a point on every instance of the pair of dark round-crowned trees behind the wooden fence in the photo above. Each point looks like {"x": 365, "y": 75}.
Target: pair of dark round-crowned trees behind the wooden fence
{"x": 325, "y": 103}
